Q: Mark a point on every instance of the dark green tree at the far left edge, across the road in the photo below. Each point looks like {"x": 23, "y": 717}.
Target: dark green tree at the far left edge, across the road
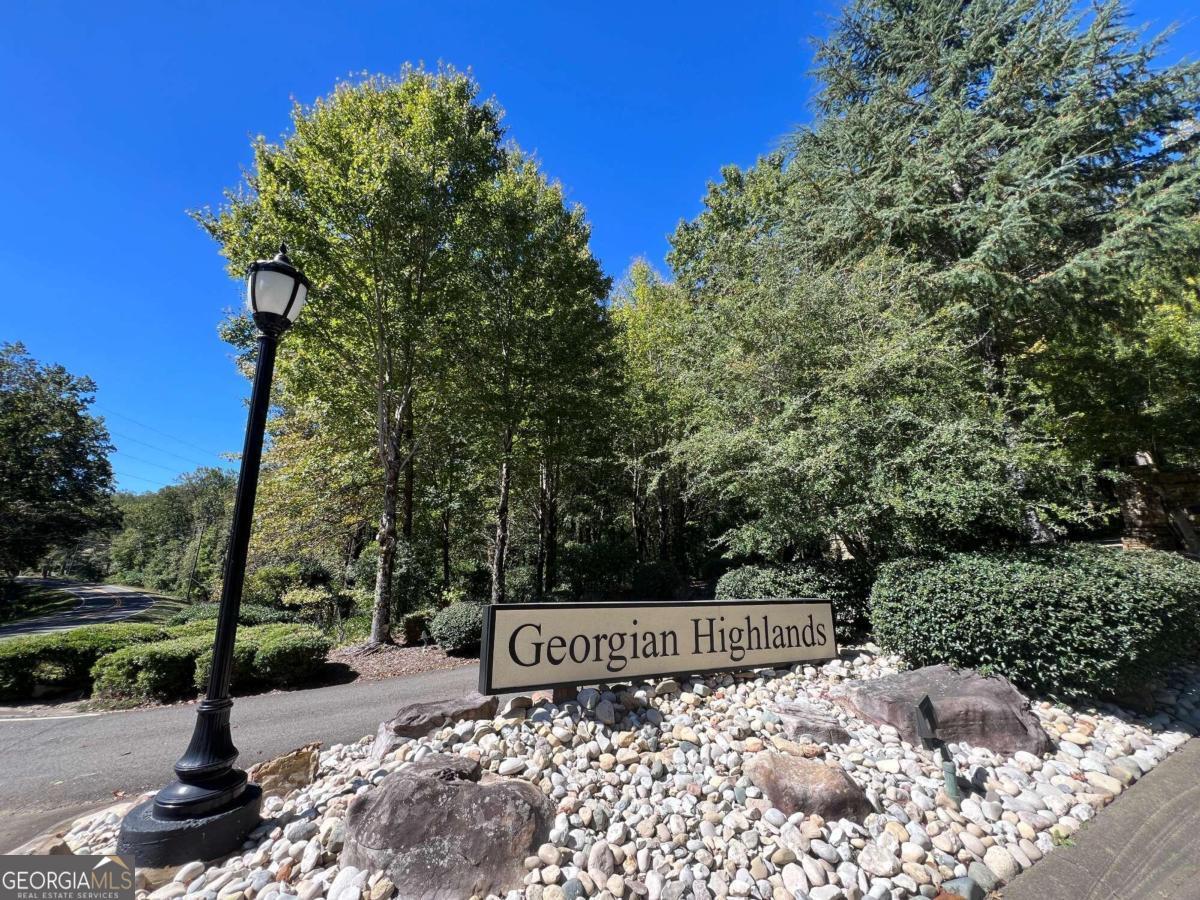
{"x": 56, "y": 482}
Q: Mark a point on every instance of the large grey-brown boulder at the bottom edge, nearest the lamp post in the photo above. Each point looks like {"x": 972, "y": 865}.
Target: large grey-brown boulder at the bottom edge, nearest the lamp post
{"x": 439, "y": 835}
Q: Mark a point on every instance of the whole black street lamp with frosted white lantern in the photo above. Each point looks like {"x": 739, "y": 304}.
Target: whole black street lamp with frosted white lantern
{"x": 209, "y": 808}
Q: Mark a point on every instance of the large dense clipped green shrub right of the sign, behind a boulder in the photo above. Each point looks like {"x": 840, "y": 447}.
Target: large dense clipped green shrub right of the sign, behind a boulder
{"x": 1066, "y": 621}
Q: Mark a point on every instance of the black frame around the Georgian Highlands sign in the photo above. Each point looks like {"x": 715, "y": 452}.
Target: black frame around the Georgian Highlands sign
{"x": 487, "y": 657}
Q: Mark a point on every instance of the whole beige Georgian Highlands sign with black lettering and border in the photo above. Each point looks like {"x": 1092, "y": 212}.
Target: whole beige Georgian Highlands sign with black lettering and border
{"x": 529, "y": 646}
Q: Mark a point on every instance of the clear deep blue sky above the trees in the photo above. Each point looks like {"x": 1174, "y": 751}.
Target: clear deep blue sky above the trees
{"x": 118, "y": 118}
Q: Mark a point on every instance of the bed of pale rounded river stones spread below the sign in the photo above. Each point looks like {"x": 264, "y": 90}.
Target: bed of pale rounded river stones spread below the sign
{"x": 661, "y": 803}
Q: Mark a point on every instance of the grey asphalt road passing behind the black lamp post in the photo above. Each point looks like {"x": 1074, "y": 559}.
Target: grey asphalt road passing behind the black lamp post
{"x": 55, "y": 769}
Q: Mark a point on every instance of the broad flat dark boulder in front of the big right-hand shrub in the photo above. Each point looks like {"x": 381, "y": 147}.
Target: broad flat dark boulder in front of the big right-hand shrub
{"x": 985, "y": 712}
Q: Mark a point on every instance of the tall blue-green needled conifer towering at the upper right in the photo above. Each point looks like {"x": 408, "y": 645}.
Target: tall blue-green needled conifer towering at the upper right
{"x": 1022, "y": 165}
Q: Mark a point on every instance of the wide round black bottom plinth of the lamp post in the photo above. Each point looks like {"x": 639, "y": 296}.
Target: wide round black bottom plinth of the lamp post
{"x": 155, "y": 843}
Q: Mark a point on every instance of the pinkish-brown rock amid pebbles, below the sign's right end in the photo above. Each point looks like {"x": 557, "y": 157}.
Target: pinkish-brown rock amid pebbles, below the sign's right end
{"x": 794, "y": 784}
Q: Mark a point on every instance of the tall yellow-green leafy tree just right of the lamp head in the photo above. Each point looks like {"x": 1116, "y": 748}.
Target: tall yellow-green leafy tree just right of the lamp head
{"x": 371, "y": 190}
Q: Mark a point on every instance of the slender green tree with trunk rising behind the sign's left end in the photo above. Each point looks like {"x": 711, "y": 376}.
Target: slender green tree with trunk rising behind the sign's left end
{"x": 535, "y": 335}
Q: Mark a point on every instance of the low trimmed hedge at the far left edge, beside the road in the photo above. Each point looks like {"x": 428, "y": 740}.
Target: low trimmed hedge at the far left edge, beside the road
{"x": 64, "y": 661}
